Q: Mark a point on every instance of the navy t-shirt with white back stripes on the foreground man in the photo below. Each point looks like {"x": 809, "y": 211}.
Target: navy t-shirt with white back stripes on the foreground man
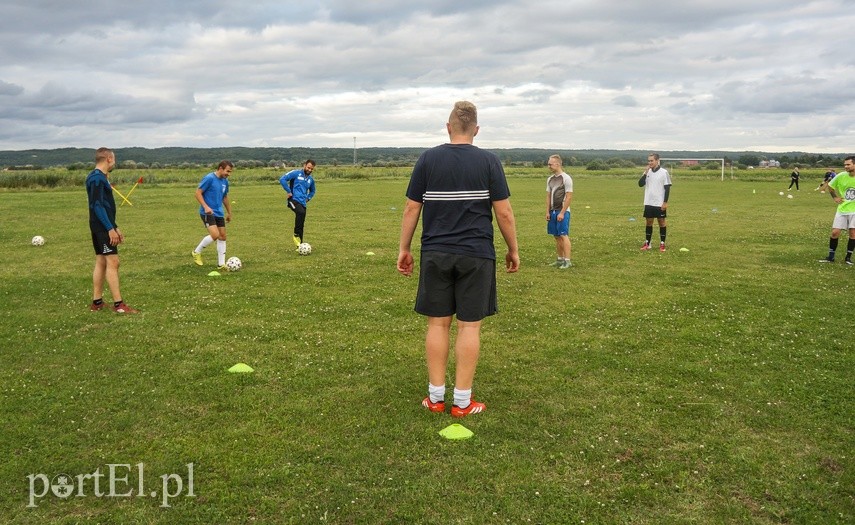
{"x": 456, "y": 184}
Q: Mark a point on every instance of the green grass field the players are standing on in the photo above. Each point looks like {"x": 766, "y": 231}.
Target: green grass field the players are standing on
{"x": 708, "y": 386}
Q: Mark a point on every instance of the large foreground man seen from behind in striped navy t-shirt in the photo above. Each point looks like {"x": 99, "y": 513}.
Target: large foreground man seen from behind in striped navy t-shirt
{"x": 456, "y": 187}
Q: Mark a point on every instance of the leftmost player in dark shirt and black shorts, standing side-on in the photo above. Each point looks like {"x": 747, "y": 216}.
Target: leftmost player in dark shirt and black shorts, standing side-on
{"x": 106, "y": 236}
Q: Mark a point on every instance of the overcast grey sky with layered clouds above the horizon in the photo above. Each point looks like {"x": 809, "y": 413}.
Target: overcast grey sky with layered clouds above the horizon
{"x": 771, "y": 75}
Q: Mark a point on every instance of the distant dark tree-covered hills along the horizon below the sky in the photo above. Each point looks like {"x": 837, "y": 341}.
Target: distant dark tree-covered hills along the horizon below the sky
{"x": 366, "y": 156}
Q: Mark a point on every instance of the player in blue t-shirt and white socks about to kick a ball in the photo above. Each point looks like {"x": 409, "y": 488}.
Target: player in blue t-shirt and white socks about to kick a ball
{"x": 215, "y": 211}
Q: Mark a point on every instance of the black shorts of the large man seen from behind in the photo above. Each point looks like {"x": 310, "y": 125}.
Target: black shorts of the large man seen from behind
{"x": 452, "y": 284}
